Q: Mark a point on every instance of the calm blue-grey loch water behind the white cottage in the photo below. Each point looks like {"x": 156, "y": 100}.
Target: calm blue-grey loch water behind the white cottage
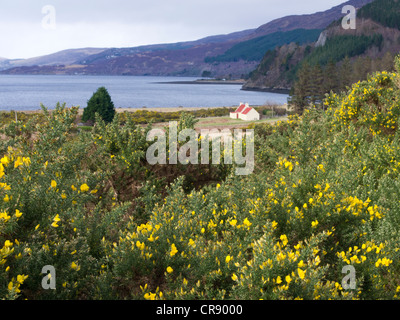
{"x": 28, "y": 92}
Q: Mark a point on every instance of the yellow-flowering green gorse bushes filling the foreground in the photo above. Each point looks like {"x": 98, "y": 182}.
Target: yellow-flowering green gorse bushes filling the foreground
{"x": 323, "y": 196}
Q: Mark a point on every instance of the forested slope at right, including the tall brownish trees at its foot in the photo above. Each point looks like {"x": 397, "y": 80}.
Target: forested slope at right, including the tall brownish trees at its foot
{"x": 340, "y": 57}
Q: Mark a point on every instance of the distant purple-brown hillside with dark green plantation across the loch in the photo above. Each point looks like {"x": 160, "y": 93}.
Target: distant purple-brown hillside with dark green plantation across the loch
{"x": 187, "y": 58}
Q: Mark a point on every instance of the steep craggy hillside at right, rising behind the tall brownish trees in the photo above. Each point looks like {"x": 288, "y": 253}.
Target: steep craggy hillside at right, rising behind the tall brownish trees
{"x": 368, "y": 47}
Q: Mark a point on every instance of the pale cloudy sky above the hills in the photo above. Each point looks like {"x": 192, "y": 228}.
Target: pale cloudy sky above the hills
{"x": 30, "y": 28}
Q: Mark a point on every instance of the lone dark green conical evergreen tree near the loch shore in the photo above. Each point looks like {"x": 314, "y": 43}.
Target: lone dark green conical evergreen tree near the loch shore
{"x": 100, "y": 103}
